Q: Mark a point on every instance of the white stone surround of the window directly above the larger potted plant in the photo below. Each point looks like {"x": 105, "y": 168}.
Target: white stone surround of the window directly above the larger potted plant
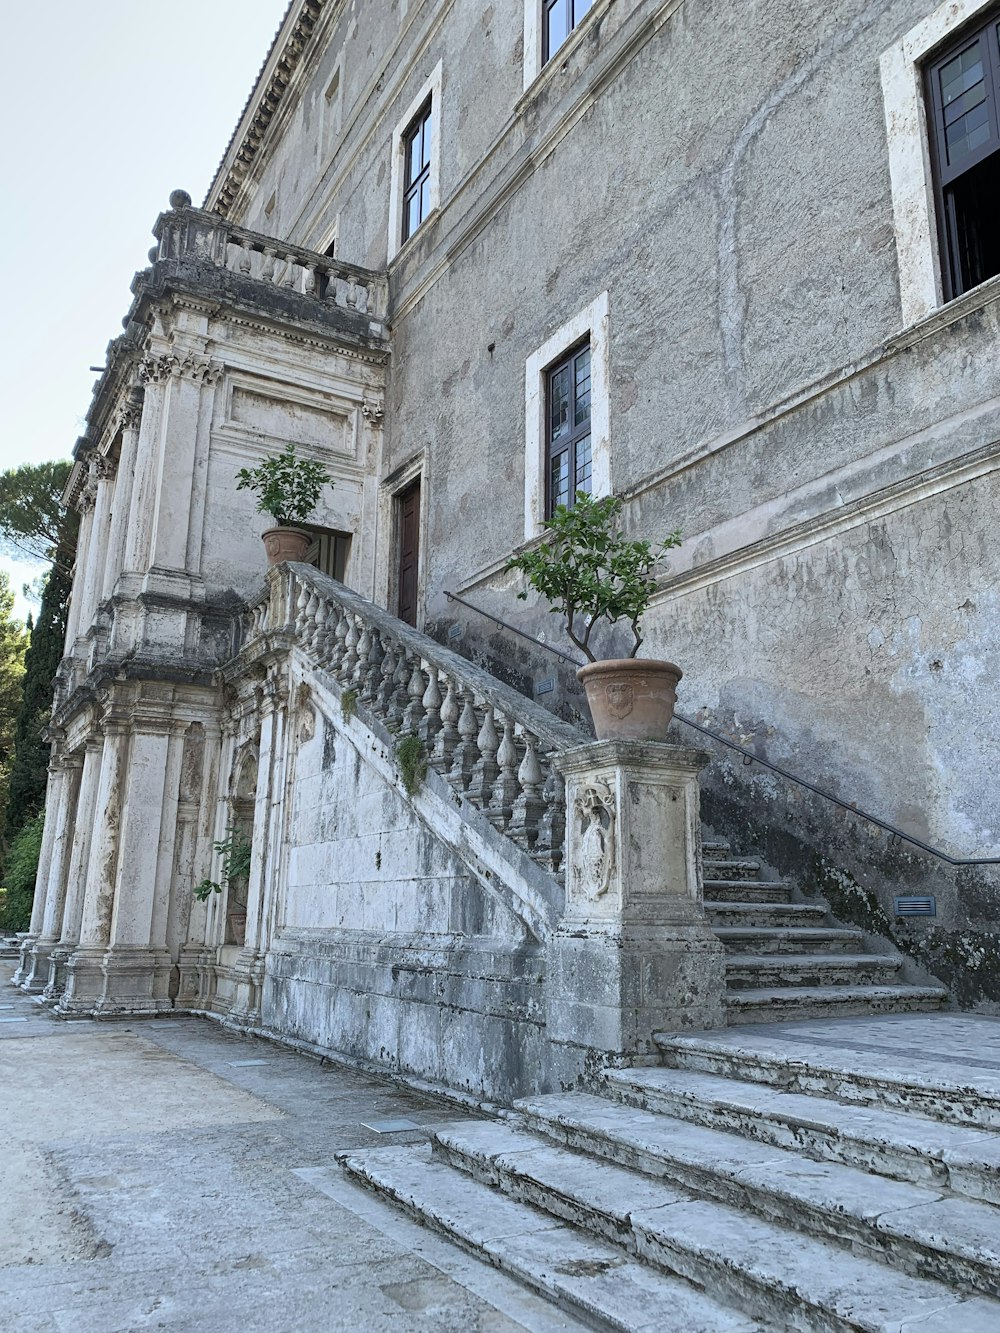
{"x": 593, "y": 321}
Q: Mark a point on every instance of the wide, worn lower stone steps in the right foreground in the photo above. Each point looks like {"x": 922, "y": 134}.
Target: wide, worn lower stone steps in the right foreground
{"x": 815, "y": 1176}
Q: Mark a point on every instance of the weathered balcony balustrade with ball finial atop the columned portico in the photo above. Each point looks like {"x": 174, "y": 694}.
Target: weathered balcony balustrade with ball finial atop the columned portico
{"x": 197, "y": 235}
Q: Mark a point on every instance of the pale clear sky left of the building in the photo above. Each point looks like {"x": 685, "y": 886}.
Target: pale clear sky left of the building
{"x": 110, "y": 107}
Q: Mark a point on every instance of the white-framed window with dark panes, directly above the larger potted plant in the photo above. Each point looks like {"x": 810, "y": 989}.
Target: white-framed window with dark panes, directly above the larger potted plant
{"x": 567, "y": 438}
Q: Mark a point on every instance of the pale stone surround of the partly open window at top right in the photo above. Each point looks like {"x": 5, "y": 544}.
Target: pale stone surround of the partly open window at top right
{"x": 909, "y": 135}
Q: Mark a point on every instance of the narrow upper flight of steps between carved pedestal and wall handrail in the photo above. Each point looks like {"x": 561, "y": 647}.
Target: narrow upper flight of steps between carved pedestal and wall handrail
{"x": 786, "y": 960}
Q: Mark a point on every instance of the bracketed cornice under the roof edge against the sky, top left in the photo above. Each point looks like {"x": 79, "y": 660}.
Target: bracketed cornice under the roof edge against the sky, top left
{"x": 265, "y": 102}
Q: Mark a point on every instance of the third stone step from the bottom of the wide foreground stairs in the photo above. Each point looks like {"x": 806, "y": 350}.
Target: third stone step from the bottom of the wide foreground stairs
{"x": 918, "y": 1231}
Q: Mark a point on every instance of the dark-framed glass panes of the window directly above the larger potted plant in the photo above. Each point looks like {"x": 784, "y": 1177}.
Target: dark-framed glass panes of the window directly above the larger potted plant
{"x": 570, "y": 461}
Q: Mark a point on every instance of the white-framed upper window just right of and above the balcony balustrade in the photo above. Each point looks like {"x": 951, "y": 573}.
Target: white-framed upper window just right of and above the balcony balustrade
{"x": 417, "y": 165}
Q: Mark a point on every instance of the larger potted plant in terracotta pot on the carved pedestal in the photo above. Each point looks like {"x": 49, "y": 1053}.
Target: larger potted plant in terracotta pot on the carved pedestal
{"x": 591, "y": 574}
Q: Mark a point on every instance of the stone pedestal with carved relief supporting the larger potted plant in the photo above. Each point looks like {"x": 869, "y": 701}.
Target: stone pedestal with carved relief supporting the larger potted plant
{"x": 634, "y": 954}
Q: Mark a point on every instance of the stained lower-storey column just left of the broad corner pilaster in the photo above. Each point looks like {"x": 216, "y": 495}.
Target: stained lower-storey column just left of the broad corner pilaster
{"x": 85, "y": 980}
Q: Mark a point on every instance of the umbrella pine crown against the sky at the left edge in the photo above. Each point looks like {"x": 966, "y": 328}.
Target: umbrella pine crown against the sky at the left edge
{"x": 34, "y": 522}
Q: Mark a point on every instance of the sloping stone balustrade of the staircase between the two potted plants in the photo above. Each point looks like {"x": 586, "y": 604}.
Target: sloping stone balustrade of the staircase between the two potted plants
{"x": 491, "y": 744}
